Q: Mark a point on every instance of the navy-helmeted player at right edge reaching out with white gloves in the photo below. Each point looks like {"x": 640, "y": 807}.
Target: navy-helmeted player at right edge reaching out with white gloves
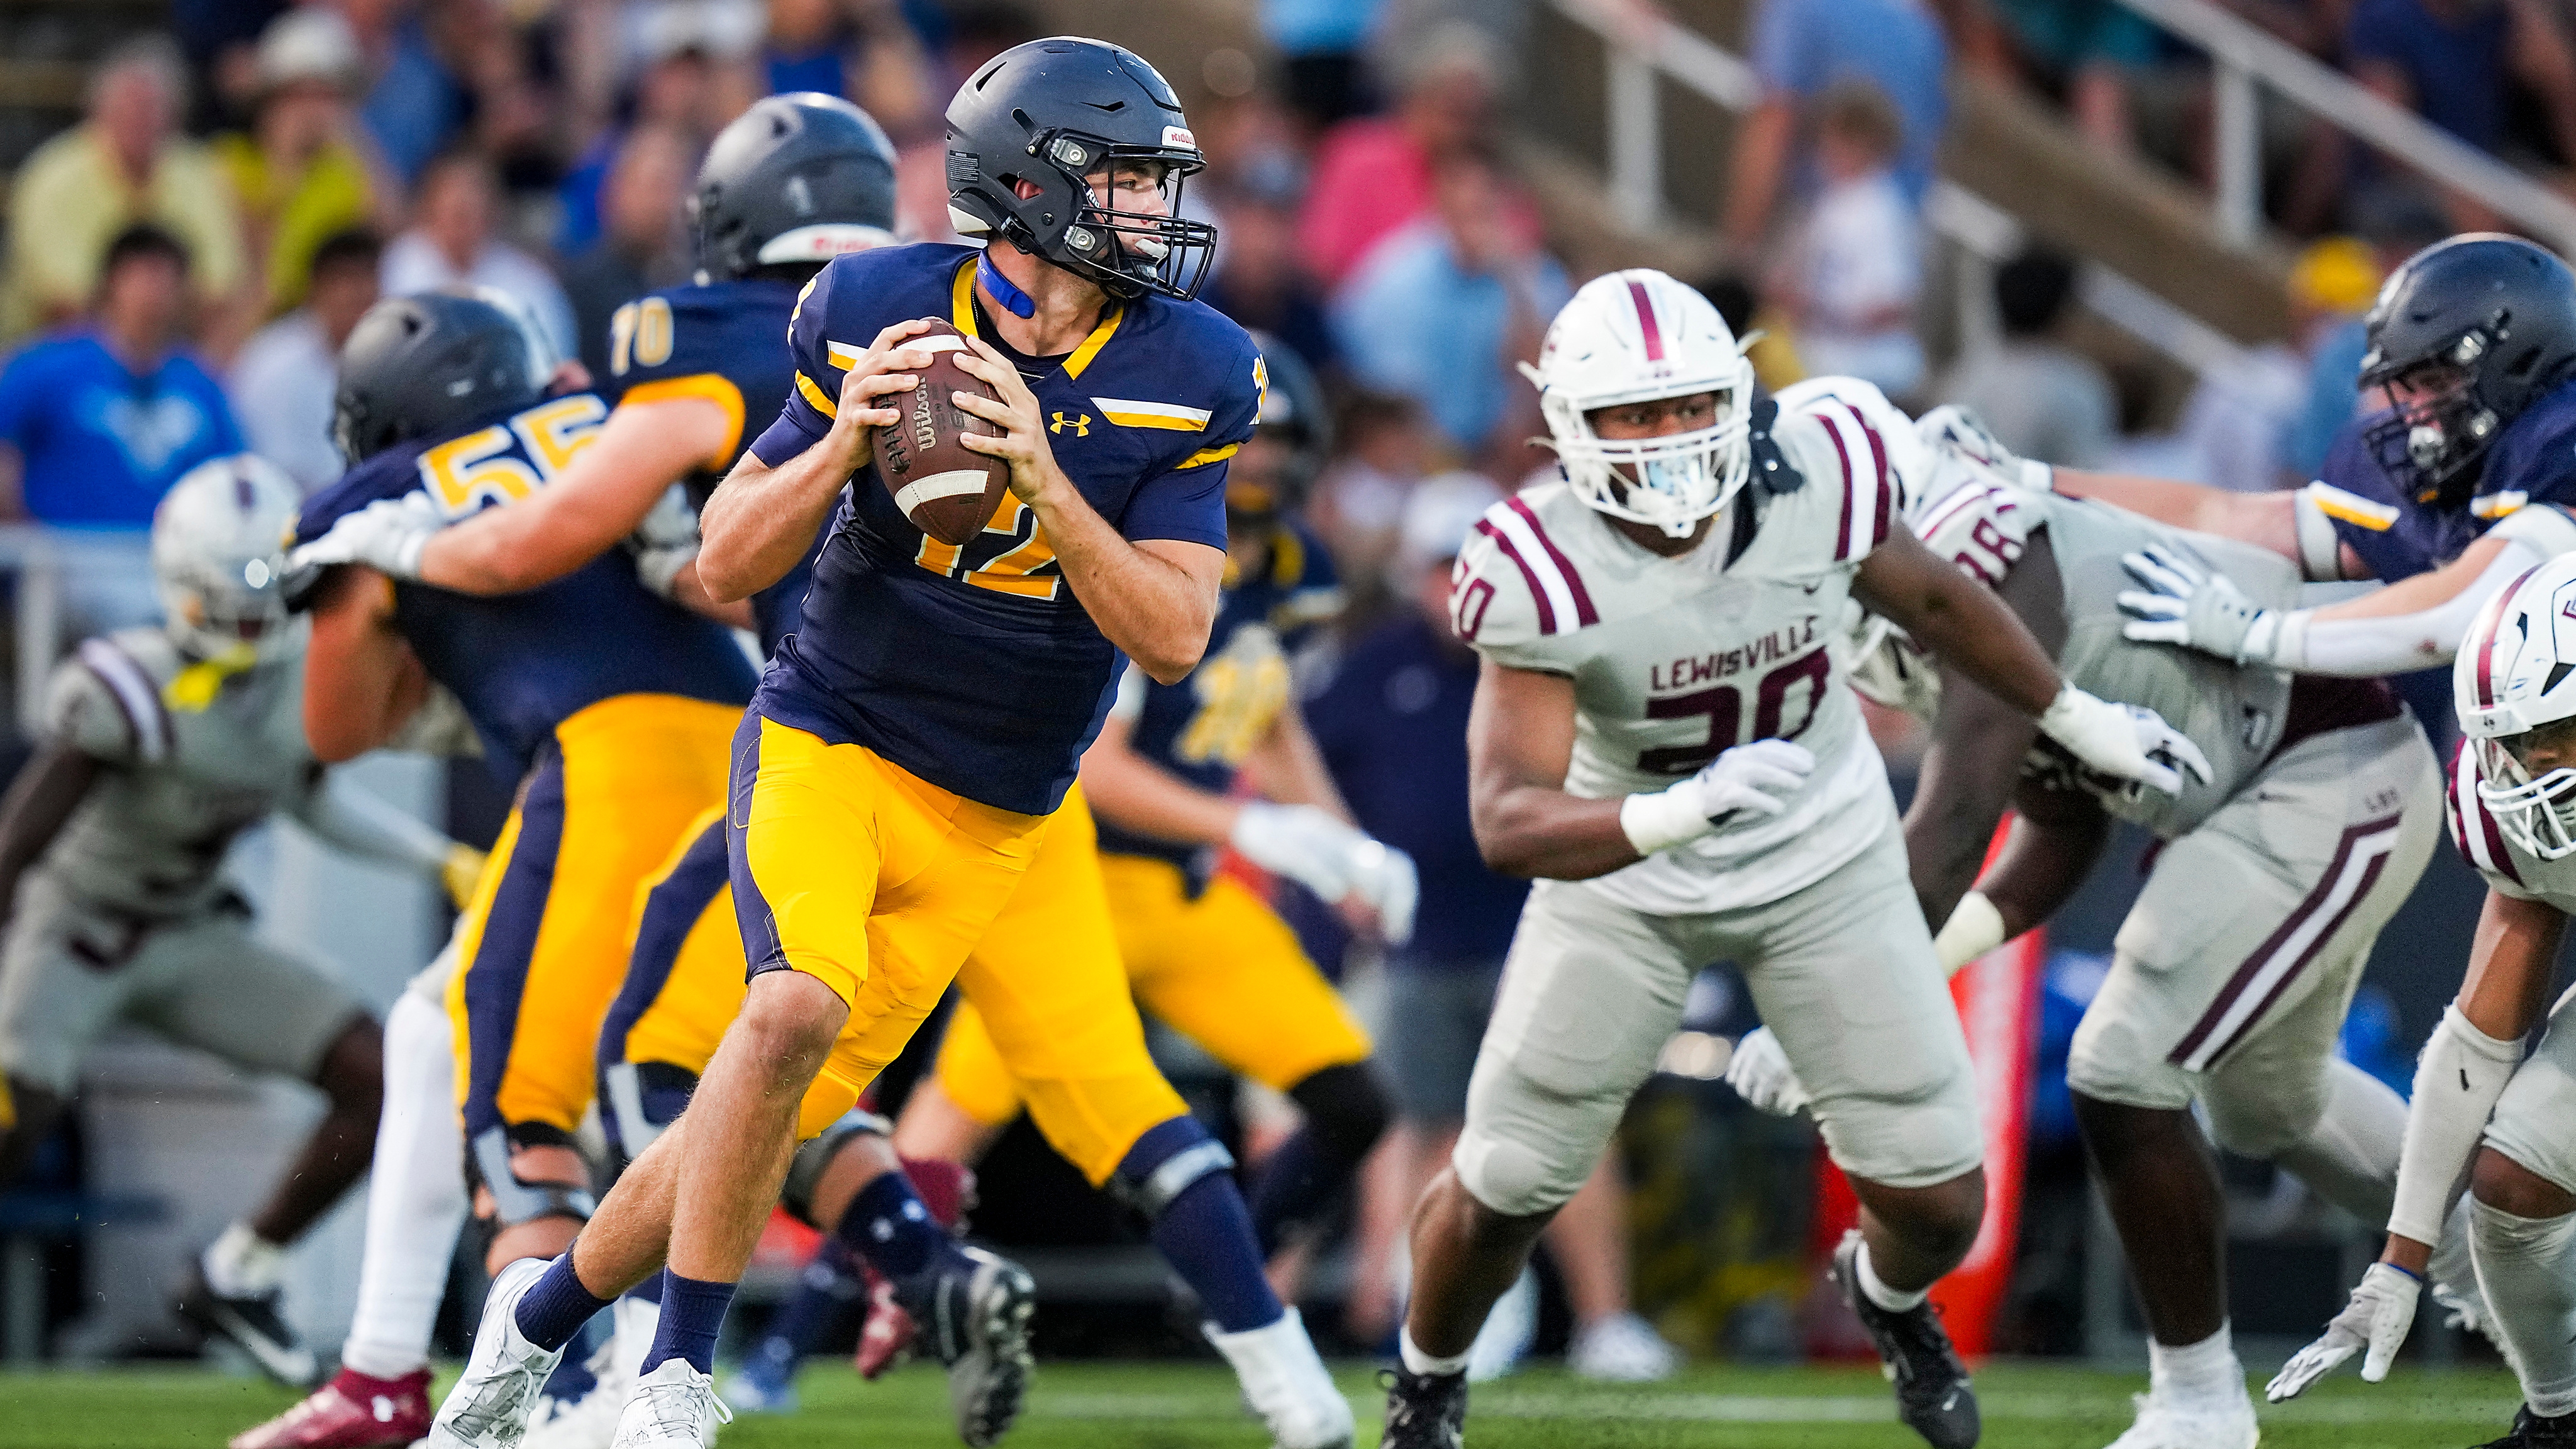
{"x": 2461, "y": 483}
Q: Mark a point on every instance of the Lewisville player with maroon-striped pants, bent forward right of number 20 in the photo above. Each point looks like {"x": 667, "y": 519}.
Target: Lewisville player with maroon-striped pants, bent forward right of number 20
{"x": 2315, "y": 824}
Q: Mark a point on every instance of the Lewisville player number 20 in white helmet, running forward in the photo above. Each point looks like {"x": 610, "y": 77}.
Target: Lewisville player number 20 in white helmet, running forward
{"x": 1665, "y": 741}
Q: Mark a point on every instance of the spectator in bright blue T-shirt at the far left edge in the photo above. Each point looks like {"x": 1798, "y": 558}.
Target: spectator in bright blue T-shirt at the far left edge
{"x": 102, "y": 419}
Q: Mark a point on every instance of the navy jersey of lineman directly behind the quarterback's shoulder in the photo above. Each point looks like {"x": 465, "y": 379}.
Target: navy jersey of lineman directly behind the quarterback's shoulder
{"x": 723, "y": 342}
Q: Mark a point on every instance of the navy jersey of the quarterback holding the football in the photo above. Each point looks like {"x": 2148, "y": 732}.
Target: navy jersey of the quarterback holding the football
{"x": 975, "y": 666}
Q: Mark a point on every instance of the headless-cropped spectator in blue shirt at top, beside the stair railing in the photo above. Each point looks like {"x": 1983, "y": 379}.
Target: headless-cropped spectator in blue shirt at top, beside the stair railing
{"x": 1802, "y": 48}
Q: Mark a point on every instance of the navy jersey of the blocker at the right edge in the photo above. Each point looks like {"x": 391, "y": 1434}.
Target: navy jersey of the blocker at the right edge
{"x": 2397, "y": 530}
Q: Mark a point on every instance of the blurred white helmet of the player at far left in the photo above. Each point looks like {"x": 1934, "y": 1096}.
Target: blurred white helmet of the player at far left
{"x": 220, "y": 556}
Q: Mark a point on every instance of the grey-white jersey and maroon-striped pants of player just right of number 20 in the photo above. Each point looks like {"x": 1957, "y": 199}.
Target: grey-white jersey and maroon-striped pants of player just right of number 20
{"x": 2315, "y": 829}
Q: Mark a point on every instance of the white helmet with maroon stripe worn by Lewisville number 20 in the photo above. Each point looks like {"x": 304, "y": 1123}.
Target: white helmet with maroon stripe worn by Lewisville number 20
{"x": 1634, "y": 336}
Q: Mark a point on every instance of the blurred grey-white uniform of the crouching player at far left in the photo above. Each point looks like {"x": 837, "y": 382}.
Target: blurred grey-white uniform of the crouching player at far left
{"x": 128, "y": 914}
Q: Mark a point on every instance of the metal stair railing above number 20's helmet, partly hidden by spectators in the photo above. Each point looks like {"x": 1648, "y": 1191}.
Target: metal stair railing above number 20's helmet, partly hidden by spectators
{"x": 1647, "y": 48}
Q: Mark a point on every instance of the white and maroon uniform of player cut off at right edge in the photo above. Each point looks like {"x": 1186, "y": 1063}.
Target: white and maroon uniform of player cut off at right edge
{"x": 2536, "y": 1118}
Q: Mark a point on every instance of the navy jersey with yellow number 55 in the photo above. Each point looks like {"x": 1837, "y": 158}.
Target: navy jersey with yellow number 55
{"x": 522, "y": 664}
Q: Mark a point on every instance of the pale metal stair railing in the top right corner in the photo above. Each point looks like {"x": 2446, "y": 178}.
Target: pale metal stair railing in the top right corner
{"x": 2245, "y": 58}
